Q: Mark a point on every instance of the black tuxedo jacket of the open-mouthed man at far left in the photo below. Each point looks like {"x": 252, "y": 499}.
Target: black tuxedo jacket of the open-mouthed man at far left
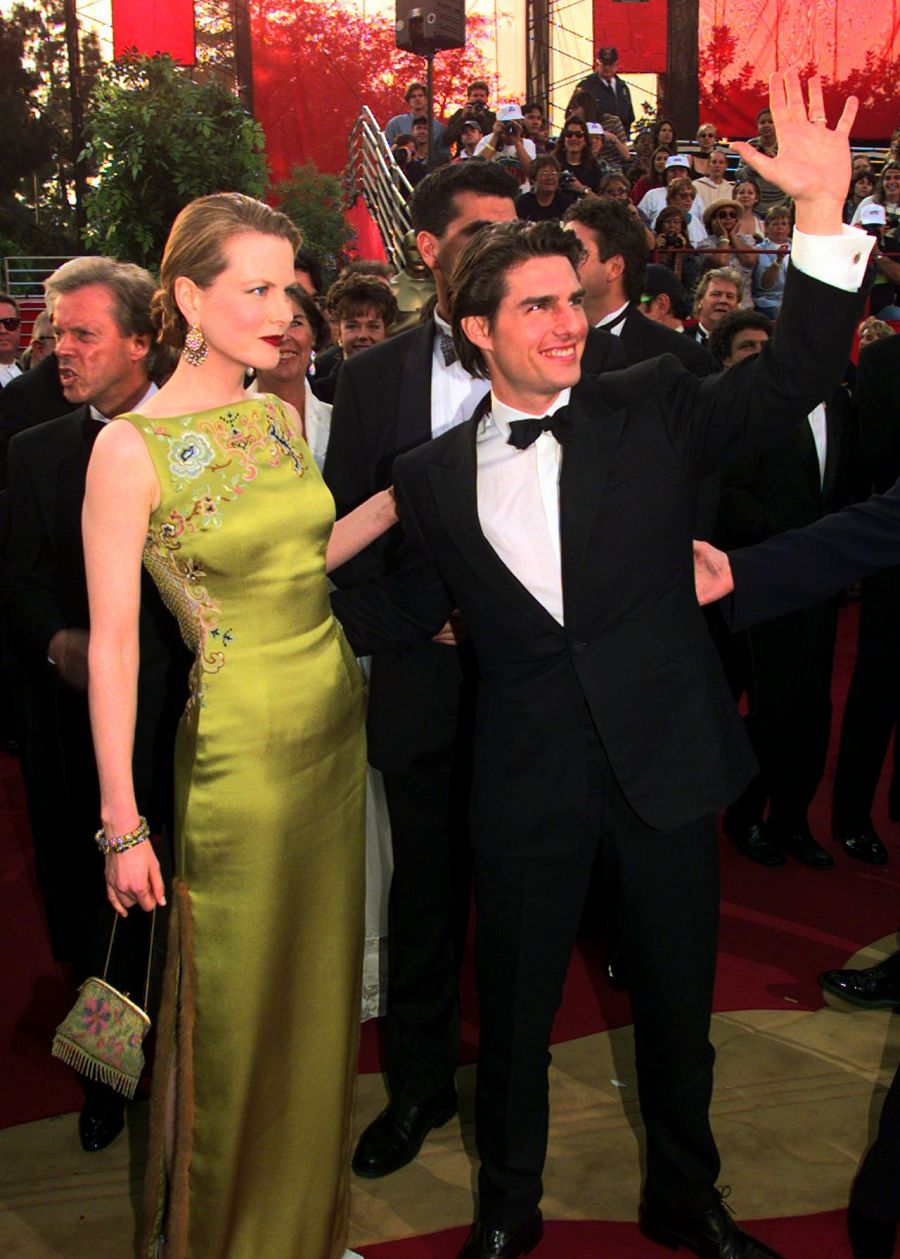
{"x": 46, "y": 591}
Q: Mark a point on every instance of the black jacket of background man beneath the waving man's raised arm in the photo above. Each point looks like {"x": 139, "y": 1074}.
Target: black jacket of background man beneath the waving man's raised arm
{"x": 784, "y": 489}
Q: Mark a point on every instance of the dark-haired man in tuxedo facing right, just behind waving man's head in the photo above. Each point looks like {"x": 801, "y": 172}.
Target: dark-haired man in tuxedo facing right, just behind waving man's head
{"x": 614, "y": 273}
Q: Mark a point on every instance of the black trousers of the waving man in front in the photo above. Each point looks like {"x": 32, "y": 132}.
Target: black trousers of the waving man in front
{"x": 665, "y": 897}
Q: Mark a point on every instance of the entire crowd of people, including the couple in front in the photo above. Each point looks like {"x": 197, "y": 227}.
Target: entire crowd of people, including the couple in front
{"x": 197, "y": 561}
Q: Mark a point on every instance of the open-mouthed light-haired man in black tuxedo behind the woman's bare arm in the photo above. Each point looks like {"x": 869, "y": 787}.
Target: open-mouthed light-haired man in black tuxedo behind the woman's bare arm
{"x": 101, "y": 315}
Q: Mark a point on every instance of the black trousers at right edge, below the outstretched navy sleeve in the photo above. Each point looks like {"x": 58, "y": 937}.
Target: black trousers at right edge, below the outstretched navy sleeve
{"x": 872, "y": 711}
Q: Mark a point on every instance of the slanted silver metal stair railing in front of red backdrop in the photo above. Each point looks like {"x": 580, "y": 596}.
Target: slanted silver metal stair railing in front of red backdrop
{"x": 373, "y": 174}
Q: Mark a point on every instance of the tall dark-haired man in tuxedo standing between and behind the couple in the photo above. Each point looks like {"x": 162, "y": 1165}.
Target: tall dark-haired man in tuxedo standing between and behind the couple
{"x": 391, "y": 400}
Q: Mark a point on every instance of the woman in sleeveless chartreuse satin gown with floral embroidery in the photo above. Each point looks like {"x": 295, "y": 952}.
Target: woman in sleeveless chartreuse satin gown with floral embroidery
{"x": 218, "y": 495}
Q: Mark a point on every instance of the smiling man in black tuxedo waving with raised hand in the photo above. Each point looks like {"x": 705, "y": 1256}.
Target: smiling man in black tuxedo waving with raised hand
{"x": 604, "y": 725}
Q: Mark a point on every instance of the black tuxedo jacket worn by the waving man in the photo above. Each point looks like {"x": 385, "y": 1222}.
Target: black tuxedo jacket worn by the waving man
{"x": 634, "y": 658}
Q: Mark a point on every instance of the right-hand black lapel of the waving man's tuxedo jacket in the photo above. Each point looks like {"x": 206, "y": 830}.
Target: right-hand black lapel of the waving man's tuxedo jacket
{"x": 586, "y": 465}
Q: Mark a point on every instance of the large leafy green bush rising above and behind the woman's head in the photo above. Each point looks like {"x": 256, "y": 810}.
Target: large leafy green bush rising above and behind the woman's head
{"x": 158, "y": 142}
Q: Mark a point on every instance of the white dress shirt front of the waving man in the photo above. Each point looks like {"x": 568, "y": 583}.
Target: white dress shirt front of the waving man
{"x": 518, "y": 495}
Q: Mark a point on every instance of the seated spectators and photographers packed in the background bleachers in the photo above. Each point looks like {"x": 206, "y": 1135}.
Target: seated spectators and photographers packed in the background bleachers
{"x": 602, "y": 150}
